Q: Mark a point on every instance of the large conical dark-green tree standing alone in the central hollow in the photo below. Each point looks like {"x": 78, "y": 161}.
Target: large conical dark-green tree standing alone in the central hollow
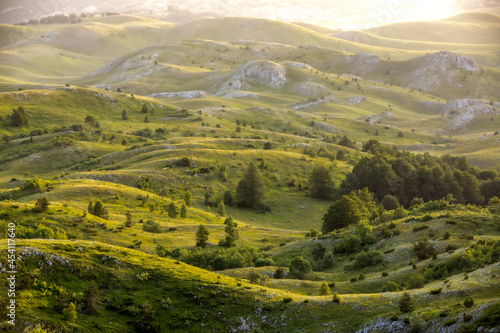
{"x": 250, "y": 189}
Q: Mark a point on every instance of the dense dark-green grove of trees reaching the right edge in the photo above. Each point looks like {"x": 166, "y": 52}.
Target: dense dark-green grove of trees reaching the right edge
{"x": 407, "y": 176}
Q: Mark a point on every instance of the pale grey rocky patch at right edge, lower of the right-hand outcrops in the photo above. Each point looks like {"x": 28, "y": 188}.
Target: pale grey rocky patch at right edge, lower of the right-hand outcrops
{"x": 461, "y": 112}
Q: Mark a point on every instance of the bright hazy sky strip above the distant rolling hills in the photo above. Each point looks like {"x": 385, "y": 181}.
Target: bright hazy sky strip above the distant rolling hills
{"x": 346, "y": 14}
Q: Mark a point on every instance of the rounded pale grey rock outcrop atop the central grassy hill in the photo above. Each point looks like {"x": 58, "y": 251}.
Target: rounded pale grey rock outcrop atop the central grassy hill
{"x": 256, "y": 72}
